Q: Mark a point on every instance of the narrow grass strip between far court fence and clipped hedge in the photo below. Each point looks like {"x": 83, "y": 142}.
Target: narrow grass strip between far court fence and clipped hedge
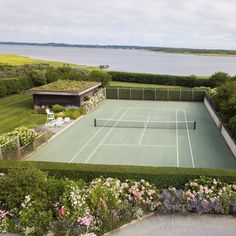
{"x": 139, "y": 85}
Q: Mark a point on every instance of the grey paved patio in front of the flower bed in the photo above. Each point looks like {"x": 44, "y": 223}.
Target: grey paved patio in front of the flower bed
{"x": 184, "y": 225}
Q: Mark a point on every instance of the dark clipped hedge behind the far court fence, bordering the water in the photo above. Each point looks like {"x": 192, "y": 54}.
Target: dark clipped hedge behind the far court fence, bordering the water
{"x": 187, "y": 81}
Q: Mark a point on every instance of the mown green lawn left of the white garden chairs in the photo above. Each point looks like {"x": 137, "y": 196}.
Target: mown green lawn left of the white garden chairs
{"x": 17, "y": 110}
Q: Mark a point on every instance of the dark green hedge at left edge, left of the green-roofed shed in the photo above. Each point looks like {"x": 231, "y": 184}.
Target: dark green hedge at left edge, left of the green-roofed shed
{"x": 14, "y": 85}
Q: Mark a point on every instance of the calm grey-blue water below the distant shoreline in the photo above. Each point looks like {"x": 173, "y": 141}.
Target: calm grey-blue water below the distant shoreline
{"x": 130, "y": 60}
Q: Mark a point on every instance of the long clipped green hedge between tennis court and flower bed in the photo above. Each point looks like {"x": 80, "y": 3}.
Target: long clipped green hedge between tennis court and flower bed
{"x": 162, "y": 177}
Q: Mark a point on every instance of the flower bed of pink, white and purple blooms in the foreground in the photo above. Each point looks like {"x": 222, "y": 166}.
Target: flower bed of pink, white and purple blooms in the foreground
{"x": 33, "y": 203}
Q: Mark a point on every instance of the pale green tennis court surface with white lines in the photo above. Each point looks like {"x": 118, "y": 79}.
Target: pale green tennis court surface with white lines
{"x": 147, "y": 133}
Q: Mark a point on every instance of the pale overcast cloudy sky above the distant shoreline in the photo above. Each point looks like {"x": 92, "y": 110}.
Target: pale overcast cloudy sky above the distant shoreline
{"x": 164, "y": 23}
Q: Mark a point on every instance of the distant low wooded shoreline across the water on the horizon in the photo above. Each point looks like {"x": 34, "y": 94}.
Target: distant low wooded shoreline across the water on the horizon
{"x": 187, "y": 51}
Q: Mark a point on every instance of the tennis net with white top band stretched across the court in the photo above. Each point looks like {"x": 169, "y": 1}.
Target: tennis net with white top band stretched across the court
{"x": 145, "y": 124}
